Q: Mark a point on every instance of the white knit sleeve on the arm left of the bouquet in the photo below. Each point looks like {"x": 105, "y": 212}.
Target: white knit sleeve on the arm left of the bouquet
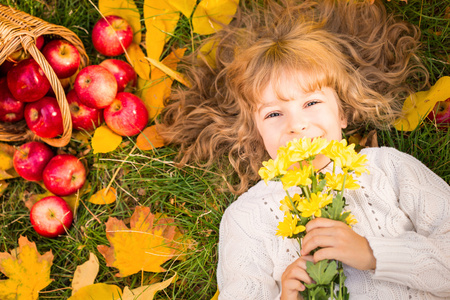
{"x": 245, "y": 268}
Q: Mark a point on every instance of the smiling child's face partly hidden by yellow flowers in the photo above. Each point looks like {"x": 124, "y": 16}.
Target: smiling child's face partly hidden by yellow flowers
{"x": 308, "y": 114}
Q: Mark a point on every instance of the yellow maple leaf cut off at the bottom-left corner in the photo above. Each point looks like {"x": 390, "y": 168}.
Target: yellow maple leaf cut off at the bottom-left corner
{"x": 28, "y": 272}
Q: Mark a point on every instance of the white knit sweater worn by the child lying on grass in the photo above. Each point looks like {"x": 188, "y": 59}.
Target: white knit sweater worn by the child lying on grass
{"x": 402, "y": 208}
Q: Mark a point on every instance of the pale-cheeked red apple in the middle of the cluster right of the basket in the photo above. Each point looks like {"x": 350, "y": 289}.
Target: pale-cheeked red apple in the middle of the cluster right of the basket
{"x": 95, "y": 86}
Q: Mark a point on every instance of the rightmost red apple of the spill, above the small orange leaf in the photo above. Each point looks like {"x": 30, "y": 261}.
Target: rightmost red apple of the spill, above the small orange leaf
{"x": 127, "y": 114}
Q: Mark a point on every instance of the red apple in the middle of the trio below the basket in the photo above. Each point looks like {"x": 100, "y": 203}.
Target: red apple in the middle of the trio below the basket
{"x": 64, "y": 175}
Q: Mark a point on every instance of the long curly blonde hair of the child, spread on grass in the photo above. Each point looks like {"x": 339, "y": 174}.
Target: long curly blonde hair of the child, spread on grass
{"x": 352, "y": 46}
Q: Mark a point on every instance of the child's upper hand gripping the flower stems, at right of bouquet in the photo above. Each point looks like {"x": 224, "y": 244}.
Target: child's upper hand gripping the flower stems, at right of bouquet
{"x": 337, "y": 241}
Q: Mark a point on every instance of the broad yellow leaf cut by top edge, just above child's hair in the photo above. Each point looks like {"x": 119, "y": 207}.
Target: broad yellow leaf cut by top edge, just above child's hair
{"x": 210, "y": 15}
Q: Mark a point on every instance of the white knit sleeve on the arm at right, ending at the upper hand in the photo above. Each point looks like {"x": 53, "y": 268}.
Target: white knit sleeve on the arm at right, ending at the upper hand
{"x": 419, "y": 258}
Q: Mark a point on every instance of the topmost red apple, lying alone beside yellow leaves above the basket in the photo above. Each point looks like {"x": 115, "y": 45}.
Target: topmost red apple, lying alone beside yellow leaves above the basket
{"x": 112, "y": 35}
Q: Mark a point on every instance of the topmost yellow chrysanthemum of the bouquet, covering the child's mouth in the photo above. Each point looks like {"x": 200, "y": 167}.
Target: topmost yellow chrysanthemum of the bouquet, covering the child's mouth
{"x": 305, "y": 148}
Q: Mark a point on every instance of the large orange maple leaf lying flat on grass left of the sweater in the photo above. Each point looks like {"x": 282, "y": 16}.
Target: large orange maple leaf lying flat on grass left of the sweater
{"x": 149, "y": 242}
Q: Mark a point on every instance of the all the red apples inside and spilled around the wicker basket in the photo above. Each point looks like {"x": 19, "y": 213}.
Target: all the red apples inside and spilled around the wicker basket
{"x": 98, "y": 93}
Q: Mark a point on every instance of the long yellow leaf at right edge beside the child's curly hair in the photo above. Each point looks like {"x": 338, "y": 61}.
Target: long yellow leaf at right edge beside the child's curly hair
{"x": 418, "y": 106}
